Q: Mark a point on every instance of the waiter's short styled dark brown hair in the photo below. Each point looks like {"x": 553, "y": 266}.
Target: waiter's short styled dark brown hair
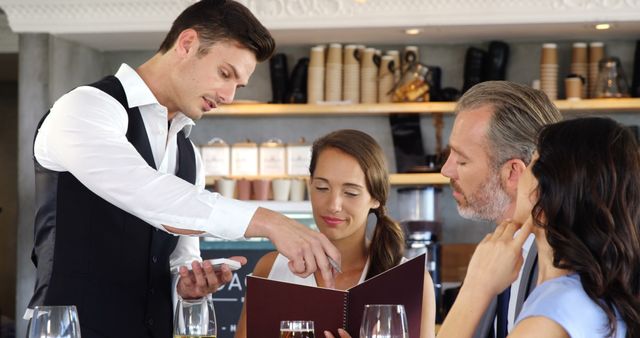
{"x": 222, "y": 20}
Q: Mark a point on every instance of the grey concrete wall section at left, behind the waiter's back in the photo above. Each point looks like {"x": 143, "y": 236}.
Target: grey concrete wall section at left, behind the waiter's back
{"x": 48, "y": 67}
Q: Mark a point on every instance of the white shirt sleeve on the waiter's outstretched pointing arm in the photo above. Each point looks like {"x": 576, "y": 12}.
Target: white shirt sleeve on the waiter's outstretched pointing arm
{"x": 85, "y": 134}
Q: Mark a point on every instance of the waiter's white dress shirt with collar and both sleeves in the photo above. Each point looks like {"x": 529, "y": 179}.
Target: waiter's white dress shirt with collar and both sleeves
{"x": 85, "y": 134}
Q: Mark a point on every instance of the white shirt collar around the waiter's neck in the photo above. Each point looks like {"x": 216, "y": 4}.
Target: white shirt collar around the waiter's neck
{"x": 139, "y": 94}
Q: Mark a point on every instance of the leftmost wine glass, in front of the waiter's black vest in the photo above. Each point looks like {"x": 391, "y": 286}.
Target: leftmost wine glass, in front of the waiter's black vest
{"x": 54, "y": 322}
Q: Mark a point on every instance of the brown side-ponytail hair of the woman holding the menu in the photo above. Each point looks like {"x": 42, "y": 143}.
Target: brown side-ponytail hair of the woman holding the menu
{"x": 387, "y": 243}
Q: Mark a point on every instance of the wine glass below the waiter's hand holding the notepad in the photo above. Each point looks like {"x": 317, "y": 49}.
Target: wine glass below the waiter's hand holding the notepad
{"x": 195, "y": 318}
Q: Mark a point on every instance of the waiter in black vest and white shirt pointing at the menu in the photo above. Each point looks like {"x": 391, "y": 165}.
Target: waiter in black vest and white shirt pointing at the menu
{"x": 117, "y": 178}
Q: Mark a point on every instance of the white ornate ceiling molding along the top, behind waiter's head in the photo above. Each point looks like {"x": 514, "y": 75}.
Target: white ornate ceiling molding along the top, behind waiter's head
{"x": 141, "y": 24}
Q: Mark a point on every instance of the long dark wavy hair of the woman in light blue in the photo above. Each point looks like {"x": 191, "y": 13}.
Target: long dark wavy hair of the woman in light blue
{"x": 588, "y": 177}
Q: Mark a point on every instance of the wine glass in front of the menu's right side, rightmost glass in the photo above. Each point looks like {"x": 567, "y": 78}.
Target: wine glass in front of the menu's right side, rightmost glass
{"x": 384, "y": 321}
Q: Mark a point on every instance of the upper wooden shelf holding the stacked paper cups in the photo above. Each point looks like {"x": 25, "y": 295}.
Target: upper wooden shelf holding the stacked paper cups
{"x": 309, "y": 110}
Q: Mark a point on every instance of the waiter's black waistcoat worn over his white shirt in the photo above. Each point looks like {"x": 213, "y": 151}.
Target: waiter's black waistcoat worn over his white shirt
{"x": 112, "y": 265}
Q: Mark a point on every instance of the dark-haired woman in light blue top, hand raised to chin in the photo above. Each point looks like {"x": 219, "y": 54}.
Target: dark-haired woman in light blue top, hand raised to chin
{"x": 580, "y": 196}
